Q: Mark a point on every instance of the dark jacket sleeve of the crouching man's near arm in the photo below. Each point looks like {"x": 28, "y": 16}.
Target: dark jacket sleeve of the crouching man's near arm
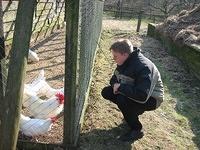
{"x": 139, "y": 91}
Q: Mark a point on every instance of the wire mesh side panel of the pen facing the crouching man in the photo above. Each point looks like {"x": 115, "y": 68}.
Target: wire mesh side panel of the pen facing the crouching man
{"x": 90, "y": 28}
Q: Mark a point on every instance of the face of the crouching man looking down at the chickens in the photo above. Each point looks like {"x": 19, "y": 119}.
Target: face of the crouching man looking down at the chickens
{"x": 119, "y": 58}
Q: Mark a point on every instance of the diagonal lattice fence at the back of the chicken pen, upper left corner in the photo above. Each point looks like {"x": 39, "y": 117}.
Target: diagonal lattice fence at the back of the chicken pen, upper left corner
{"x": 48, "y": 16}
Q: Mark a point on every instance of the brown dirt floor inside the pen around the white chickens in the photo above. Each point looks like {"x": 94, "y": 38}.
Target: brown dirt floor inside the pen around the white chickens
{"x": 51, "y": 53}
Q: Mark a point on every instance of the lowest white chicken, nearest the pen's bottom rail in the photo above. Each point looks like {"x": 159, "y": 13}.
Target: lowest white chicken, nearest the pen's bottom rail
{"x": 35, "y": 127}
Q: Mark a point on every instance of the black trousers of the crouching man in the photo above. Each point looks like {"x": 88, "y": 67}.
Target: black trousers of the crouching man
{"x": 130, "y": 109}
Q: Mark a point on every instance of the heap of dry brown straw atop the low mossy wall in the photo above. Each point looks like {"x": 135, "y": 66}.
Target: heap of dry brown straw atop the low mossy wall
{"x": 184, "y": 28}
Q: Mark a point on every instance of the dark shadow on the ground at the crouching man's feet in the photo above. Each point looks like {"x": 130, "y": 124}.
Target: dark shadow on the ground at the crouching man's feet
{"x": 99, "y": 139}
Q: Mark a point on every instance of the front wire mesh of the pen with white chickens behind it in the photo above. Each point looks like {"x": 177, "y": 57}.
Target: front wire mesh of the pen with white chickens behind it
{"x": 43, "y": 92}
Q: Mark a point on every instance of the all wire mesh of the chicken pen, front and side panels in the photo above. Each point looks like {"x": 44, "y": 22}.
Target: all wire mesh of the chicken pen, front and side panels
{"x": 42, "y": 102}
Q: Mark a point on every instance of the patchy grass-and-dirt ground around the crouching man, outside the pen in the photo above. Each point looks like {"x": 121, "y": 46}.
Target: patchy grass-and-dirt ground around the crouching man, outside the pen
{"x": 163, "y": 130}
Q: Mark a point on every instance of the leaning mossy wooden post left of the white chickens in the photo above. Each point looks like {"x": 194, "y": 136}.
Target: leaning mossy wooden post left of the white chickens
{"x": 16, "y": 73}
